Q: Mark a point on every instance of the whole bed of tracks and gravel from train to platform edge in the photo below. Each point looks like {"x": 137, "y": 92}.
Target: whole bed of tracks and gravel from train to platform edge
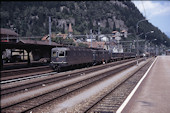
{"x": 100, "y": 88}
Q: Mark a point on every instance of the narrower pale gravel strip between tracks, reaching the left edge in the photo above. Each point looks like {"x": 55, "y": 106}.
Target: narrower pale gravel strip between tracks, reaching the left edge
{"x": 12, "y": 99}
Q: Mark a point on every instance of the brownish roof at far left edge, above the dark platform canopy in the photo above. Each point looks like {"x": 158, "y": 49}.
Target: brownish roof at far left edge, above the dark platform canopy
{"x": 8, "y": 32}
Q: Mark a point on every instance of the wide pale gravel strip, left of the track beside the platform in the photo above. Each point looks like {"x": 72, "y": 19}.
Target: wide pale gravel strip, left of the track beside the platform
{"x": 78, "y": 101}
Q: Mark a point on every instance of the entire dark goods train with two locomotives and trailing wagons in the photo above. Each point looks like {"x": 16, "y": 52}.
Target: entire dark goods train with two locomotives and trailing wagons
{"x": 71, "y": 56}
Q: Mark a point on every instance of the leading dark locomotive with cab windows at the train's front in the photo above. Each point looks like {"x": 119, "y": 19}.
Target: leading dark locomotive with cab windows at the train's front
{"x": 70, "y": 56}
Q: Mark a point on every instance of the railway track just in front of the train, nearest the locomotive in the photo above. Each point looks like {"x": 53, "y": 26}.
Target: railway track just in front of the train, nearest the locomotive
{"x": 53, "y": 79}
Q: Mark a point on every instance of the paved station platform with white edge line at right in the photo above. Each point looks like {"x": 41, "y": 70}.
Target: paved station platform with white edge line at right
{"x": 152, "y": 94}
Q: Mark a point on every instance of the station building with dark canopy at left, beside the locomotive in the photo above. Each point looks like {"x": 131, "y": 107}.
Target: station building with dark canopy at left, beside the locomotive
{"x": 28, "y": 50}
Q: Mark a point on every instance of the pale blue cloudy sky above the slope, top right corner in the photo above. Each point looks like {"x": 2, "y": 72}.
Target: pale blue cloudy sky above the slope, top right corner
{"x": 158, "y": 13}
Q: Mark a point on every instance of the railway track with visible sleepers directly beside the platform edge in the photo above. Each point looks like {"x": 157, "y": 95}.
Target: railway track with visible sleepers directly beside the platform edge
{"x": 111, "y": 100}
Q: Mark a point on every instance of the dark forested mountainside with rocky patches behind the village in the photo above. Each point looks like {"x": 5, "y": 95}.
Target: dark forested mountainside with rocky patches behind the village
{"x": 31, "y": 18}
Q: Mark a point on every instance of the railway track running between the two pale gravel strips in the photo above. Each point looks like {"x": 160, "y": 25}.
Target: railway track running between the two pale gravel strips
{"x": 36, "y": 101}
